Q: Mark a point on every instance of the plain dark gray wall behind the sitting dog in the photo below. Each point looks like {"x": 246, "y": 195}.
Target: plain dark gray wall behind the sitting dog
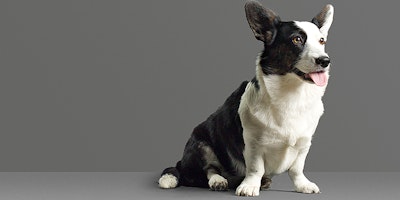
{"x": 119, "y": 85}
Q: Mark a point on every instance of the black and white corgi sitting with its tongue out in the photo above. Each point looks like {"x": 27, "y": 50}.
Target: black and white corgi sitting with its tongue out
{"x": 265, "y": 126}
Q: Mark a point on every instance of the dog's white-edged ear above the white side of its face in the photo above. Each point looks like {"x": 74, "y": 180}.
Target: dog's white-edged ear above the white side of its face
{"x": 324, "y": 19}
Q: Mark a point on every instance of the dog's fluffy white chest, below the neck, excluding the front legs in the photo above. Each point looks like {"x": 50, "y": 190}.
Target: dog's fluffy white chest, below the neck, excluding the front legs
{"x": 281, "y": 124}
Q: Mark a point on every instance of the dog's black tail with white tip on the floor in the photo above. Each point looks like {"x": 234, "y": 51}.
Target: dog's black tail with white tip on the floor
{"x": 170, "y": 177}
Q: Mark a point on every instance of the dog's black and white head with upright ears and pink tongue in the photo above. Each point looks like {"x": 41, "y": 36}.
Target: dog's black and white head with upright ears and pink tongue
{"x": 292, "y": 46}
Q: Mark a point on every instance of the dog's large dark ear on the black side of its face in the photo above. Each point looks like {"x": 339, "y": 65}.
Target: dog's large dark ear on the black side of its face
{"x": 262, "y": 21}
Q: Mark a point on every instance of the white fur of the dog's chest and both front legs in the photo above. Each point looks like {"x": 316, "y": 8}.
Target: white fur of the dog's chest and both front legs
{"x": 278, "y": 122}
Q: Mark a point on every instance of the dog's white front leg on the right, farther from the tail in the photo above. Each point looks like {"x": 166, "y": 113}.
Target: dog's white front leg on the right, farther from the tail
{"x": 301, "y": 183}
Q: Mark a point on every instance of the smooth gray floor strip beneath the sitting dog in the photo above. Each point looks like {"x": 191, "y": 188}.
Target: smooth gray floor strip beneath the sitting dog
{"x": 139, "y": 185}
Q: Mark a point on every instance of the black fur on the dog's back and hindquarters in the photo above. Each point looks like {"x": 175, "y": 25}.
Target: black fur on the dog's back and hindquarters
{"x": 222, "y": 132}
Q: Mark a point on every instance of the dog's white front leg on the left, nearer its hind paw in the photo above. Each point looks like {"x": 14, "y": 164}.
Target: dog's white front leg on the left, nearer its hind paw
{"x": 253, "y": 157}
